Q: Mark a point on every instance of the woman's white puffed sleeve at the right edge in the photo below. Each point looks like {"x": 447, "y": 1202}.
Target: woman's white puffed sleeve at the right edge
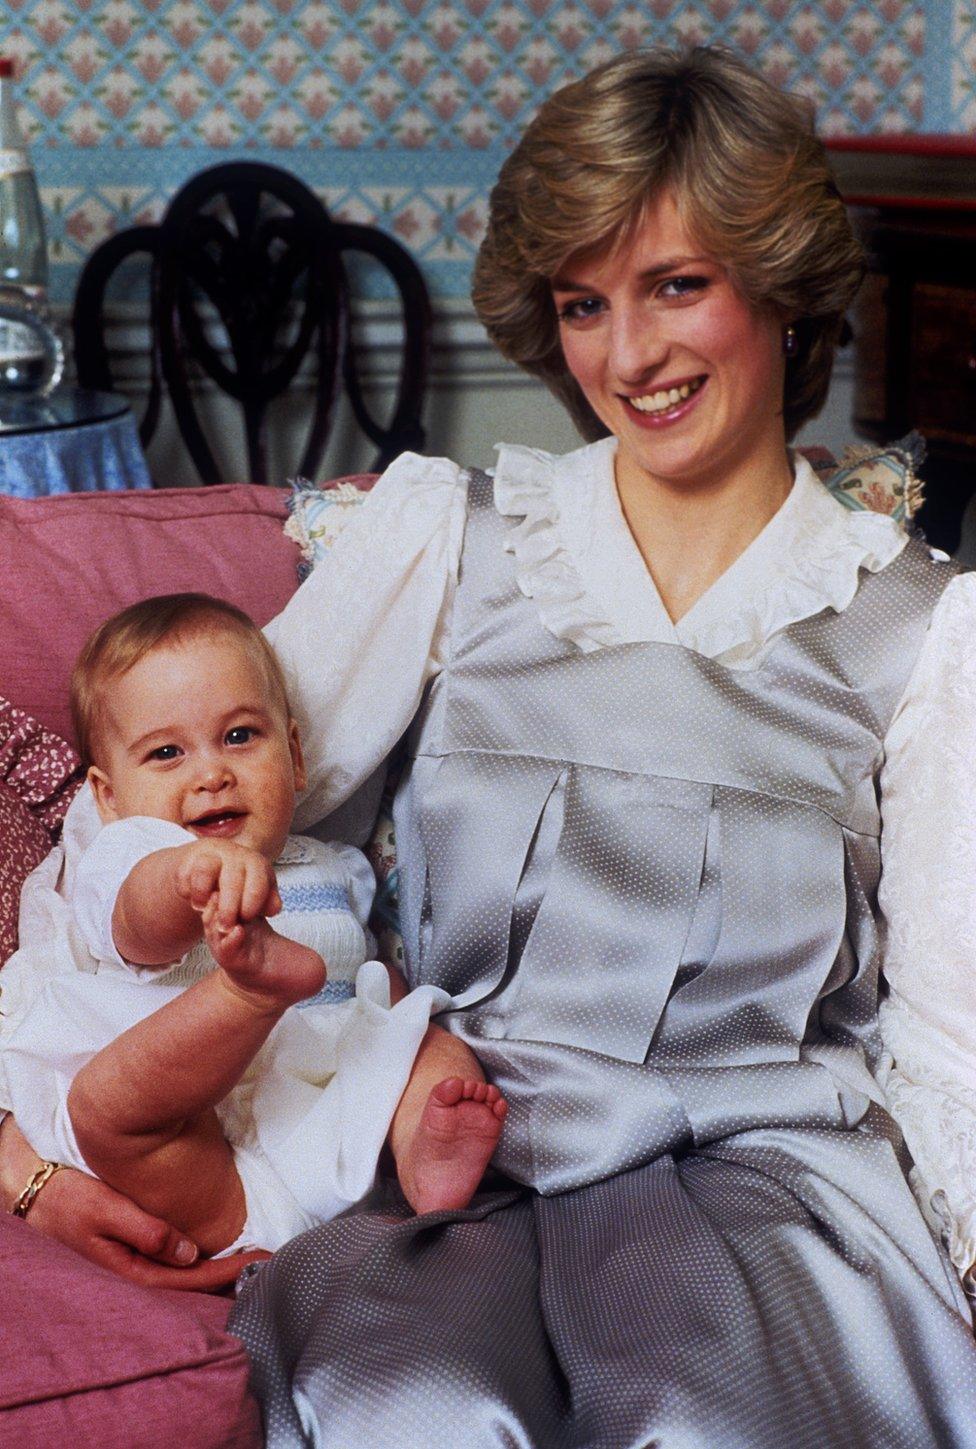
{"x": 929, "y": 898}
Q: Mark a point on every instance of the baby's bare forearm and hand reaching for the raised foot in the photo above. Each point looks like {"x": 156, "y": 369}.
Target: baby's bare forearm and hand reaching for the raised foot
{"x": 157, "y": 916}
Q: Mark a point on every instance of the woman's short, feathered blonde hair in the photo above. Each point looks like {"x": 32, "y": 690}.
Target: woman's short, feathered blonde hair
{"x": 748, "y": 175}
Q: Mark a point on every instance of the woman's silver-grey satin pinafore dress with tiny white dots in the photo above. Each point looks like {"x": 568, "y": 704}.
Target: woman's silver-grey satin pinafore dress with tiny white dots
{"x": 649, "y": 885}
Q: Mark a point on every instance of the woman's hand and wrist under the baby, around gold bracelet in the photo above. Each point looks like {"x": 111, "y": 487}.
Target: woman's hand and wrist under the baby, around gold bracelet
{"x": 108, "y": 1228}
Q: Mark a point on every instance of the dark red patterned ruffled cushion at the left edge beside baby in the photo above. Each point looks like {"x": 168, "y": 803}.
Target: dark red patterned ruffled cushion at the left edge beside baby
{"x": 40, "y": 776}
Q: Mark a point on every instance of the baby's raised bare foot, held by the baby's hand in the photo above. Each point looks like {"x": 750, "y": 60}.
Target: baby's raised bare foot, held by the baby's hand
{"x": 263, "y": 966}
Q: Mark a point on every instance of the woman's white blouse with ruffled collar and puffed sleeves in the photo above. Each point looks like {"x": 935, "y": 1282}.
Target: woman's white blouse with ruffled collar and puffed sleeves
{"x": 366, "y": 634}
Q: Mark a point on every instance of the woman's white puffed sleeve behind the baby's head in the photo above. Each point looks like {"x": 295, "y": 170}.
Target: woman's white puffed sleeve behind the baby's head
{"x": 367, "y": 631}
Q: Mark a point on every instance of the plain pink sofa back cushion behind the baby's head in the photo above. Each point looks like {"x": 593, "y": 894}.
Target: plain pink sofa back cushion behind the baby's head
{"x": 73, "y": 560}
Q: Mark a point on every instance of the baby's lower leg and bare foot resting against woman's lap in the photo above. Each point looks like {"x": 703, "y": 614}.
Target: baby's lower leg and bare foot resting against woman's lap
{"x": 447, "y": 1127}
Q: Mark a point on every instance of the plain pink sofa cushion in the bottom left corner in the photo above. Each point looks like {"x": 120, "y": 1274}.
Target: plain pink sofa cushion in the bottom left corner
{"x": 91, "y": 1360}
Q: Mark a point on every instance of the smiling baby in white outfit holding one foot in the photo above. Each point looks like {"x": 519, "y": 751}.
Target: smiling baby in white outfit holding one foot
{"x": 176, "y": 1066}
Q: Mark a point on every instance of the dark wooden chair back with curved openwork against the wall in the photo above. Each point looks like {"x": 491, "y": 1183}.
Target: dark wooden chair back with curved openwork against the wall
{"x": 250, "y": 286}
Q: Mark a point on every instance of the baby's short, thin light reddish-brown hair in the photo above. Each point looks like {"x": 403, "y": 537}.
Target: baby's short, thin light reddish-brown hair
{"x": 122, "y": 641}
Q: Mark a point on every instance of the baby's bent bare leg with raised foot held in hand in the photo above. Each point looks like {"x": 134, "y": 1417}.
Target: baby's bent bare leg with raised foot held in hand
{"x": 144, "y": 1108}
